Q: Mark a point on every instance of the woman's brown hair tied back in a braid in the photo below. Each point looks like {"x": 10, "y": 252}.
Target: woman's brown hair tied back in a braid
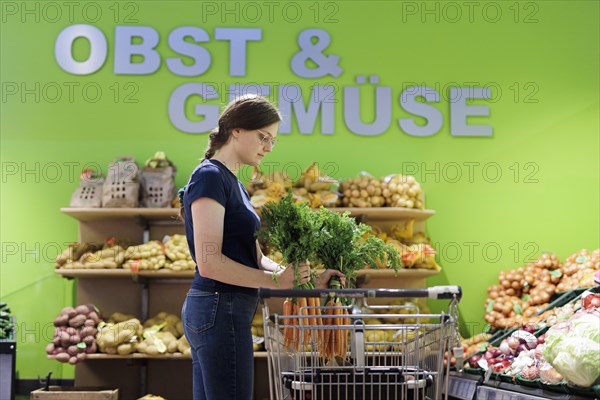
{"x": 246, "y": 112}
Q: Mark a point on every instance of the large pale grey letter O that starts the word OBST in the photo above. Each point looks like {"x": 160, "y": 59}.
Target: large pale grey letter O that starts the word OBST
{"x": 63, "y": 49}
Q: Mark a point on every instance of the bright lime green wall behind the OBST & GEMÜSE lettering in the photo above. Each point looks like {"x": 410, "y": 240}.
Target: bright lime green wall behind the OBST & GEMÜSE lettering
{"x": 541, "y": 64}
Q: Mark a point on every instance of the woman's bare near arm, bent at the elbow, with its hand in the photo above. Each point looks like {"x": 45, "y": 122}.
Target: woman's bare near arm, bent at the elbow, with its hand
{"x": 208, "y": 216}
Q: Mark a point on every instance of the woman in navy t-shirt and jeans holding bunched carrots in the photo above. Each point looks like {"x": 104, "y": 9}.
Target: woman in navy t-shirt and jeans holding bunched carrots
{"x": 221, "y": 227}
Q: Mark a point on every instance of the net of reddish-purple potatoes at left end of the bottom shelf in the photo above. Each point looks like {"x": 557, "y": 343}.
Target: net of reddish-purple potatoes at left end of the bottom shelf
{"x": 75, "y": 333}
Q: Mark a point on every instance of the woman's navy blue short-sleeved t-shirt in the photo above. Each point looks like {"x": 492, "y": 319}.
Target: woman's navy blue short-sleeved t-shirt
{"x": 241, "y": 223}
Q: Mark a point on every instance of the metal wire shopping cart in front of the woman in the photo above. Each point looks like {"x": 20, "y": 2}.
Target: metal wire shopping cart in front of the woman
{"x": 399, "y": 357}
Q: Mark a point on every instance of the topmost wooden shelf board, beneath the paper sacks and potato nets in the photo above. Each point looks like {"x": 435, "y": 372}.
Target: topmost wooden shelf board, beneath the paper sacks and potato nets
{"x": 170, "y": 214}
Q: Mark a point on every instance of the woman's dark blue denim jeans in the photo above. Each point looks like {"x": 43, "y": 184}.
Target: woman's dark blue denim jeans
{"x": 217, "y": 325}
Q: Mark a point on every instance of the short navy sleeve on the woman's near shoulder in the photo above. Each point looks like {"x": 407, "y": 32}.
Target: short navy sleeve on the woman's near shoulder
{"x": 206, "y": 181}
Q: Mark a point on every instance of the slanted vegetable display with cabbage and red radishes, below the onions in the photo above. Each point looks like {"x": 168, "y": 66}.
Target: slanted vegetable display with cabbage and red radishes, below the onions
{"x": 563, "y": 350}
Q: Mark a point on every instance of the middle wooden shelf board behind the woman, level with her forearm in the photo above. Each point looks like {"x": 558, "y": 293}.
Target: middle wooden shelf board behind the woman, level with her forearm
{"x": 169, "y": 274}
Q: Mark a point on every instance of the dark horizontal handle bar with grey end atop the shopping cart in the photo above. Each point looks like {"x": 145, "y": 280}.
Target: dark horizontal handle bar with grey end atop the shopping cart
{"x": 435, "y": 292}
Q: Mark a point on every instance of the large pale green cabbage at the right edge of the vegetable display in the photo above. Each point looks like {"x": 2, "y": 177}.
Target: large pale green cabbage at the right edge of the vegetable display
{"x": 575, "y": 352}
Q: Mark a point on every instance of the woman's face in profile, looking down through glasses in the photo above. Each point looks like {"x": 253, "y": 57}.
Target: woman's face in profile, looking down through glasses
{"x": 253, "y": 145}
